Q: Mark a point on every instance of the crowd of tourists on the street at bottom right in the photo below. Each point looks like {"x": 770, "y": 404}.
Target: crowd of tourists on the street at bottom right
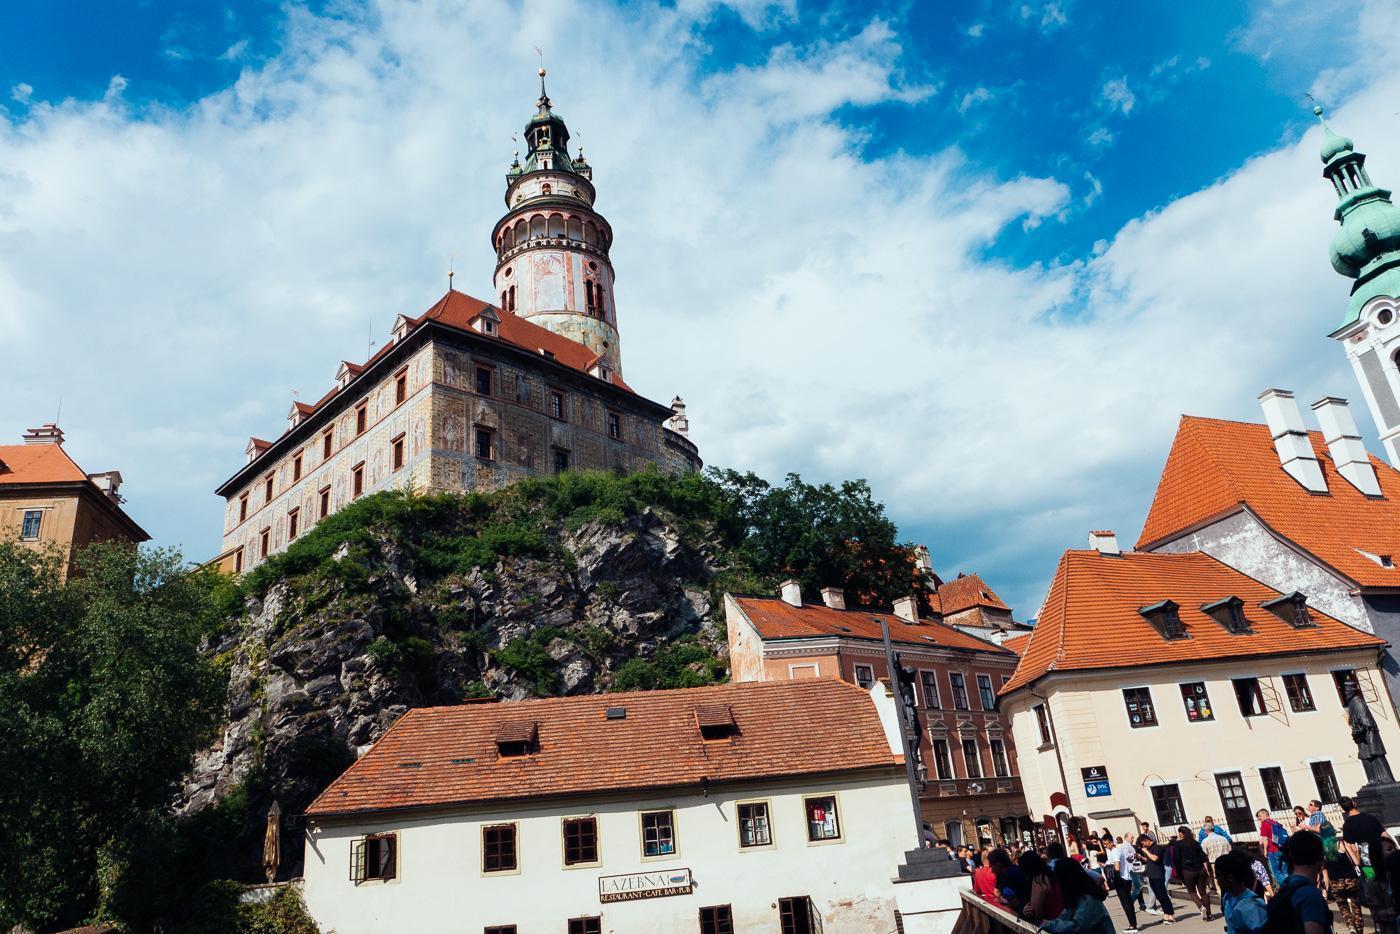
{"x": 1280, "y": 886}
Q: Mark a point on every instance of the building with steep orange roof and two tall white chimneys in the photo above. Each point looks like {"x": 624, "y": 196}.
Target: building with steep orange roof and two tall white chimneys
{"x": 1294, "y": 509}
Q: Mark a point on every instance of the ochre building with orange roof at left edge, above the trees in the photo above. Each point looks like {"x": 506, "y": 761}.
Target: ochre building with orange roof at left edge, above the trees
{"x": 48, "y": 501}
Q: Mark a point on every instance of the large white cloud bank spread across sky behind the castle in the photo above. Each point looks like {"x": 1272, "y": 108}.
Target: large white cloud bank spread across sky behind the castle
{"x": 820, "y": 312}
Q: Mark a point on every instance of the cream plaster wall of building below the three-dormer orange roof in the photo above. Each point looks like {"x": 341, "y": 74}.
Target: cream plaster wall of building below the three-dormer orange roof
{"x": 1094, "y": 730}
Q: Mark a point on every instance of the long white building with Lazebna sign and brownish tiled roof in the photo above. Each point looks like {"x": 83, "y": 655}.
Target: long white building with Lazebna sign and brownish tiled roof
{"x": 776, "y": 807}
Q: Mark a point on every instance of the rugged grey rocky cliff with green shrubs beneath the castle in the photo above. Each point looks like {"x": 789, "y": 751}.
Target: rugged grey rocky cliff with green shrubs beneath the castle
{"x": 405, "y": 601}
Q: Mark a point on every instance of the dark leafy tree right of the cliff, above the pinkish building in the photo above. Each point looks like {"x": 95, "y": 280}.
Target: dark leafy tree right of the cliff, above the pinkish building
{"x": 822, "y": 536}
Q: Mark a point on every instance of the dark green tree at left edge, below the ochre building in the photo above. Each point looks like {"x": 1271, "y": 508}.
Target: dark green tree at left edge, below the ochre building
{"x": 106, "y": 699}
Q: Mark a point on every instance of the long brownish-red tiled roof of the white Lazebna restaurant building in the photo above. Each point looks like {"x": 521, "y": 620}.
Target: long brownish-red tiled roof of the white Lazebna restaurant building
{"x": 440, "y": 757}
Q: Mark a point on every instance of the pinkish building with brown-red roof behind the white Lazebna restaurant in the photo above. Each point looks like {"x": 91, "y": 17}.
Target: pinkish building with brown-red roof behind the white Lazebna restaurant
{"x": 972, "y": 786}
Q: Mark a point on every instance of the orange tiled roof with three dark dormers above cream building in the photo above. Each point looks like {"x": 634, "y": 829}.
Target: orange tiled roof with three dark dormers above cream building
{"x": 1091, "y": 617}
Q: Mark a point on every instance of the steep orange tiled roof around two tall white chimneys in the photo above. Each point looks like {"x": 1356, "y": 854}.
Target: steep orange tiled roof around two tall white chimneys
{"x": 1217, "y": 467}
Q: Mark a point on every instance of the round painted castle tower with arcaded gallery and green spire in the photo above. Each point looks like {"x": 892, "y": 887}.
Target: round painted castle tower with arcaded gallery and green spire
{"x": 552, "y": 247}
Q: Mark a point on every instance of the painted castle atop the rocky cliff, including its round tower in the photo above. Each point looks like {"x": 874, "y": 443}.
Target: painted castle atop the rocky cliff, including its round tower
{"x": 470, "y": 396}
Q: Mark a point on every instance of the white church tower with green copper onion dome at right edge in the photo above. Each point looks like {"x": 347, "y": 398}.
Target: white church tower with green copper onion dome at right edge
{"x": 1367, "y": 249}
